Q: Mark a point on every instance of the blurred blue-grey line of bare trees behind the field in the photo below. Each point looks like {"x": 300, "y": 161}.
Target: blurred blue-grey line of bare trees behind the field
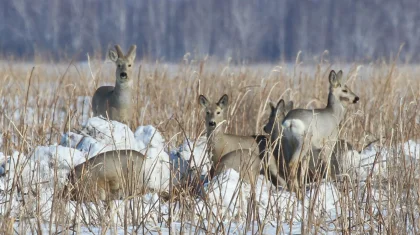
{"x": 254, "y": 30}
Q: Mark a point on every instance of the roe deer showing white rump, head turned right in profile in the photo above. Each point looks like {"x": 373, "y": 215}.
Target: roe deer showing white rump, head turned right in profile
{"x": 306, "y": 129}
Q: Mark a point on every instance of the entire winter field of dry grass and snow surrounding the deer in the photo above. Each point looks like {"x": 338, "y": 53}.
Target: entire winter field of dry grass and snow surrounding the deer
{"x": 46, "y": 129}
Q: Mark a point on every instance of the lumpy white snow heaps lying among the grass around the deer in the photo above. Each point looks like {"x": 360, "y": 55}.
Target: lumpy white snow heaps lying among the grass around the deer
{"x": 226, "y": 196}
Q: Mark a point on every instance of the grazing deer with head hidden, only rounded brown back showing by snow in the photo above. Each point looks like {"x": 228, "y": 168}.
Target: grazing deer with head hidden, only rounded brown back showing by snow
{"x": 107, "y": 176}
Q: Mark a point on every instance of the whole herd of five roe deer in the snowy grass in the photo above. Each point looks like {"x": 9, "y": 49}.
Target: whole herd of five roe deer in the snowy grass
{"x": 299, "y": 145}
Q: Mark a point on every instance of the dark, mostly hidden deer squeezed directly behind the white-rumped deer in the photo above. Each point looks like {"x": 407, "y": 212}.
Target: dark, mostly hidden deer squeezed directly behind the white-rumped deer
{"x": 276, "y": 164}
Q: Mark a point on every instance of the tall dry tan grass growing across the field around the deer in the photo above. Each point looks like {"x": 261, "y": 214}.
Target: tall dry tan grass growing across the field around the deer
{"x": 166, "y": 97}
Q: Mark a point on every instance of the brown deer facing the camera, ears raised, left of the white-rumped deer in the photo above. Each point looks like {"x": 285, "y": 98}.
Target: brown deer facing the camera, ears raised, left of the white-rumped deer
{"x": 241, "y": 153}
